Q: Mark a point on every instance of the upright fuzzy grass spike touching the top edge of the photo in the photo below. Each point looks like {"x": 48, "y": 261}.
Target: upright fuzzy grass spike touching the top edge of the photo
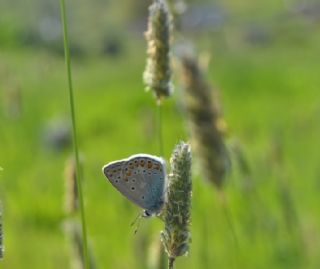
{"x": 157, "y": 75}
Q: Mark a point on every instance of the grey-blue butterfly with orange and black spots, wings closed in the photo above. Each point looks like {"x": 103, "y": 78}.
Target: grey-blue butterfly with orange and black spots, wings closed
{"x": 141, "y": 178}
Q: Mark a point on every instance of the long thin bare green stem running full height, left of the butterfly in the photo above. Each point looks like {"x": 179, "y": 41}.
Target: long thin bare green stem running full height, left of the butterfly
{"x": 74, "y": 132}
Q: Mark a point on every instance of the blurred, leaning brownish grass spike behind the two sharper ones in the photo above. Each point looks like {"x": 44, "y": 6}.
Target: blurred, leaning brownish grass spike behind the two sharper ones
{"x": 204, "y": 114}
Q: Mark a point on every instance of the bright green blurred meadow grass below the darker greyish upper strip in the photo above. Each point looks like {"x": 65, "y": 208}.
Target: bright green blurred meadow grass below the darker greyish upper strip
{"x": 269, "y": 93}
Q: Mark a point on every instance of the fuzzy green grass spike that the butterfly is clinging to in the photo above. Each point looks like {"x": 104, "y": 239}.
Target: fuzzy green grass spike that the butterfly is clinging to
{"x": 177, "y": 211}
